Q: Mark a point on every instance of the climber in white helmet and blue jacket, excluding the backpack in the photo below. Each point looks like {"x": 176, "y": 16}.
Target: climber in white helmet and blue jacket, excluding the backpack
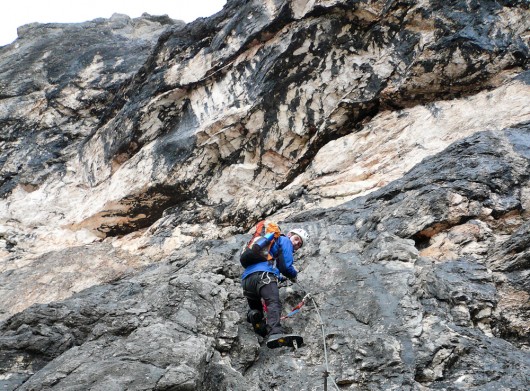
{"x": 260, "y": 281}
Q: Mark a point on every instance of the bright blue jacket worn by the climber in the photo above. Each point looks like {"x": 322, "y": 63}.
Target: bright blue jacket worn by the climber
{"x": 282, "y": 251}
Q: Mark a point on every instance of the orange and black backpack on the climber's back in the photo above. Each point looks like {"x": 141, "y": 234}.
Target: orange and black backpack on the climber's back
{"x": 258, "y": 247}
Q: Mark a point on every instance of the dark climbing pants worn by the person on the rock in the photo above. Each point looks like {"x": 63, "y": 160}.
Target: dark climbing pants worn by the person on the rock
{"x": 263, "y": 285}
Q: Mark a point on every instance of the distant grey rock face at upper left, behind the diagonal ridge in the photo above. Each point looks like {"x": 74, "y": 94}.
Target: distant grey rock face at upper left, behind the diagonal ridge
{"x": 72, "y": 72}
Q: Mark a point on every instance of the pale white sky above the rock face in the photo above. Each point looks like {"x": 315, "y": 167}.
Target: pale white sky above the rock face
{"x": 15, "y": 13}
